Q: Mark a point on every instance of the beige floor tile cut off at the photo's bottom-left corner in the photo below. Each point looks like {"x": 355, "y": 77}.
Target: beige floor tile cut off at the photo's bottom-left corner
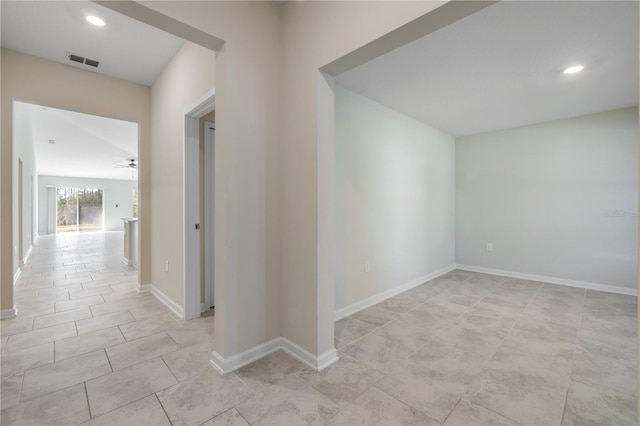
{"x": 64, "y": 407}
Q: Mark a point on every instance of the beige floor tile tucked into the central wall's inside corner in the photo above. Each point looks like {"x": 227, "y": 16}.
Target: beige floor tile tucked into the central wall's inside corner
{"x": 270, "y": 370}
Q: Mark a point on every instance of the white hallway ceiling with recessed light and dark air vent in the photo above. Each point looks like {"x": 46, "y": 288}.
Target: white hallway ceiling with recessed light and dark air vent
{"x": 125, "y": 48}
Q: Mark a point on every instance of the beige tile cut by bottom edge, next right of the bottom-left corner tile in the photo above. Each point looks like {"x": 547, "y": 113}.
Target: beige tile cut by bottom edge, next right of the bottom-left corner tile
{"x": 146, "y": 411}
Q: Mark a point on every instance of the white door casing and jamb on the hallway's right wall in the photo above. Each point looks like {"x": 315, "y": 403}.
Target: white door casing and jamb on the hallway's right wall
{"x": 191, "y": 202}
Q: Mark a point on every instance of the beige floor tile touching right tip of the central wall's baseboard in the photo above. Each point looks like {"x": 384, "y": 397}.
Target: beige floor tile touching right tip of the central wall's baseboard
{"x": 343, "y": 381}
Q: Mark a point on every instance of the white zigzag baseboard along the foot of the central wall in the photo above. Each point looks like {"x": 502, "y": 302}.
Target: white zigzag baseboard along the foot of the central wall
{"x": 227, "y": 365}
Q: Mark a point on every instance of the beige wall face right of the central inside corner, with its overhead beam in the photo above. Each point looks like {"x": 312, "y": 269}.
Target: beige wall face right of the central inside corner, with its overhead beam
{"x": 315, "y": 34}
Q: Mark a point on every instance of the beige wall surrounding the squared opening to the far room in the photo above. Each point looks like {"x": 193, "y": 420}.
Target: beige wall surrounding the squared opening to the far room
{"x": 39, "y": 81}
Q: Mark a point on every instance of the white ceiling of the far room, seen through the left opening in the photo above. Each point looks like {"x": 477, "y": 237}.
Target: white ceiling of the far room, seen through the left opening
{"x": 85, "y": 145}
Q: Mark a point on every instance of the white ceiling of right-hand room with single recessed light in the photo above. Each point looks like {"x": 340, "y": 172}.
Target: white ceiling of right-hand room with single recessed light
{"x": 502, "y": 67}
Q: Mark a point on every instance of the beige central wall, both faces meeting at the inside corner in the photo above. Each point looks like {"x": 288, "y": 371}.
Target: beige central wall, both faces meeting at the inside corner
{"x": 267, "y": 156}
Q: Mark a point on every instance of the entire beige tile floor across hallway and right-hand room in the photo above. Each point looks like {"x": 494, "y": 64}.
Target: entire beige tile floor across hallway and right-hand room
{"x": 463, "y": 349}
